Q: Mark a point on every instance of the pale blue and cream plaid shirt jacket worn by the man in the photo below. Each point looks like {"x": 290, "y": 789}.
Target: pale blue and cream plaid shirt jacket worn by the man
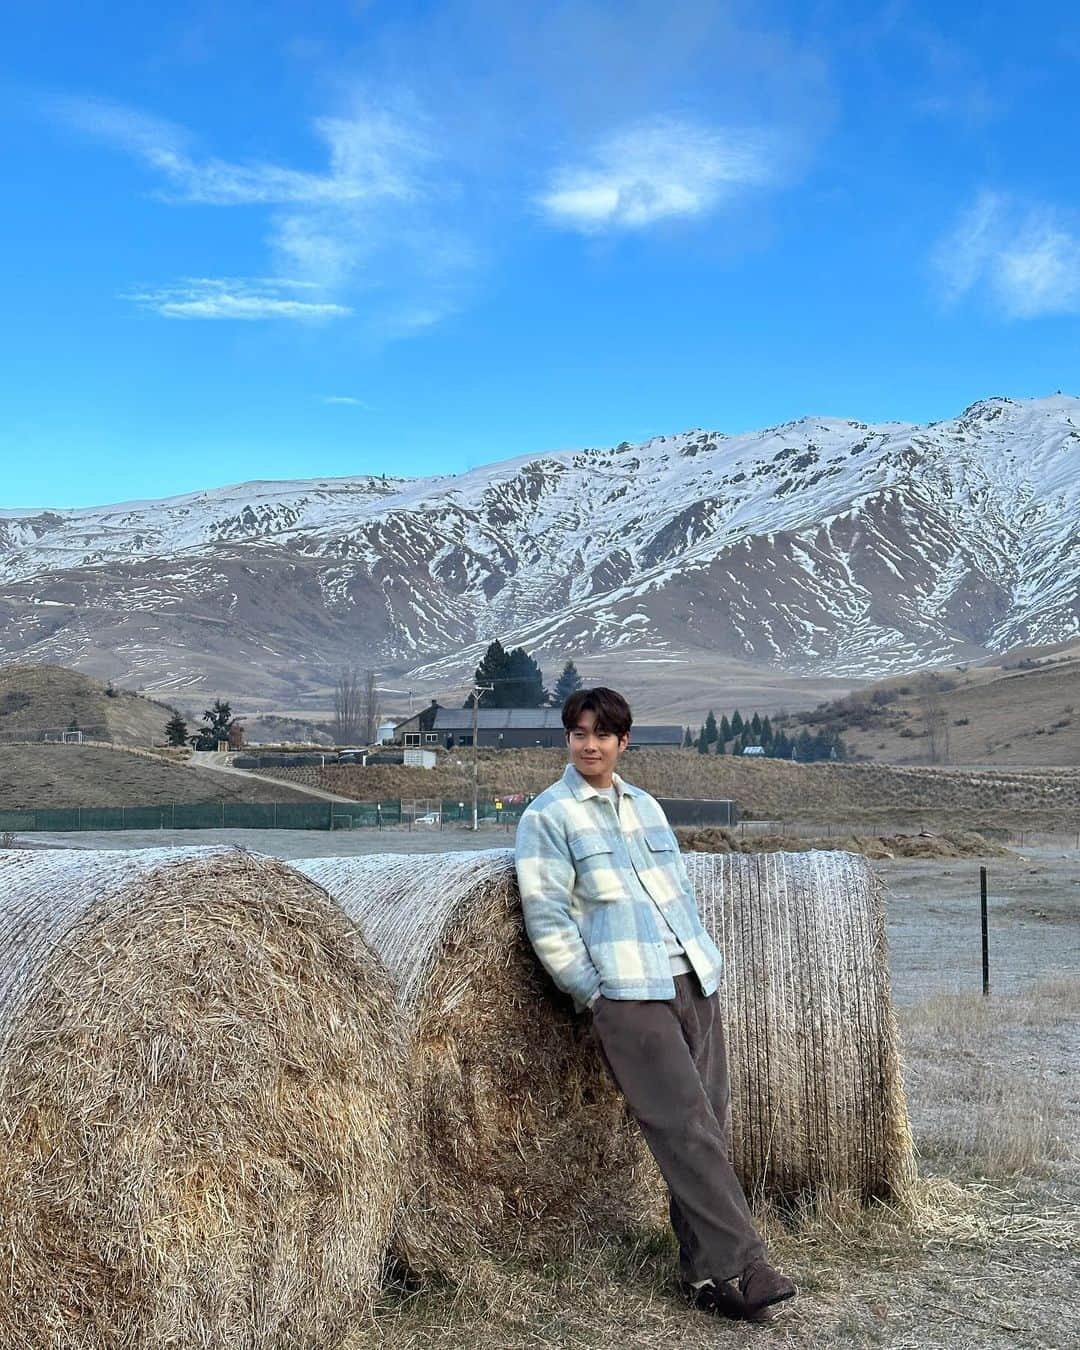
{"x": 581, "y": 870}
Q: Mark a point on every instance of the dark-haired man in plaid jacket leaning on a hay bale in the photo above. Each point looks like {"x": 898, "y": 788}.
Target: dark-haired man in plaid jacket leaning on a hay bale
{"x": 612, "y": 917}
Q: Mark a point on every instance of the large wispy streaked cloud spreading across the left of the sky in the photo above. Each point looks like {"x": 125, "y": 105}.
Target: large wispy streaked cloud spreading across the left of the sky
{"x": 371, "y": 221}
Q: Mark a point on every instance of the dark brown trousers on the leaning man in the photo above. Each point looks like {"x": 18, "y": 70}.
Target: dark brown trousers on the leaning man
{"x": 670, "y": 1062}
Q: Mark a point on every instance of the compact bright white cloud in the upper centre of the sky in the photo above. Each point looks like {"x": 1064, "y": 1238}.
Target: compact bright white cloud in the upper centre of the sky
{"x": 654, "y": 172}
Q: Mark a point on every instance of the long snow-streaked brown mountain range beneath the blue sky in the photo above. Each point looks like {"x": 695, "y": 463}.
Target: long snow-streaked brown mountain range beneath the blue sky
{"x": 821, "y": 546}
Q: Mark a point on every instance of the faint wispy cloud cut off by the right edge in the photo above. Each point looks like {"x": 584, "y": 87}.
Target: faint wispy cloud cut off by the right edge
{"x": 1025, "y": 257}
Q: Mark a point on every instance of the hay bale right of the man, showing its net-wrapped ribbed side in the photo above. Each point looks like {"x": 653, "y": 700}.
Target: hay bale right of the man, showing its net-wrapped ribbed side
{"x": 817, "y": 1097}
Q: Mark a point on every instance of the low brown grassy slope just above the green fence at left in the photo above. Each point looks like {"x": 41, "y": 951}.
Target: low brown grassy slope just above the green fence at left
{"x": 90, "y": 776}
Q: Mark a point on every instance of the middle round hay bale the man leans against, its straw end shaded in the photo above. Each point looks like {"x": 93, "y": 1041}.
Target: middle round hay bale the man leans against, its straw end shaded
{"x": 524, "y": 1143}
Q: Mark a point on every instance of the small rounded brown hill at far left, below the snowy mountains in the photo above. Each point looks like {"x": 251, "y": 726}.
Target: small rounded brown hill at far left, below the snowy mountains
{"x": 48, "y": 699}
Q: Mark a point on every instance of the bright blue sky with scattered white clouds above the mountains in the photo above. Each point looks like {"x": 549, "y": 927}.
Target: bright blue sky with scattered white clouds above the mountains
{"x": 267, "y": 241}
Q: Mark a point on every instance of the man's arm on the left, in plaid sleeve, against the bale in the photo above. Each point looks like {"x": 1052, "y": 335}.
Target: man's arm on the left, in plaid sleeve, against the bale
{"x": 546, "y": 881}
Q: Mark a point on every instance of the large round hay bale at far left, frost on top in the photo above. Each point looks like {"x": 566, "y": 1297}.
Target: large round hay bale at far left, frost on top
{"x": 199, "y": 1105}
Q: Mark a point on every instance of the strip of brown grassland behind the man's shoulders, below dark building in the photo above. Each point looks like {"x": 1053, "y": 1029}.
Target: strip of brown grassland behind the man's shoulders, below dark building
{"x": 781, "y": 790}
